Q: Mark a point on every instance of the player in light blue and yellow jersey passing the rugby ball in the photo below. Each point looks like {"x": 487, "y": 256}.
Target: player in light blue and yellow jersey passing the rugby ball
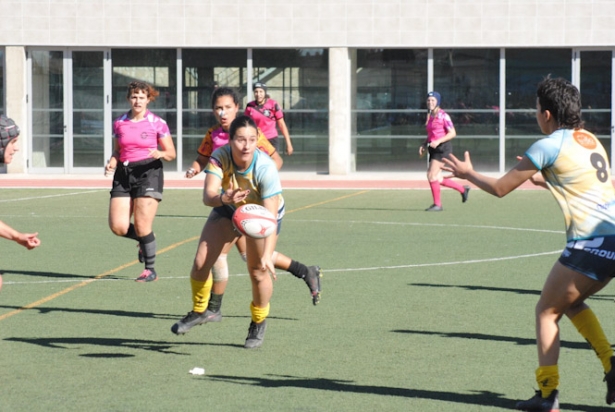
{"x": 237, "y": 173}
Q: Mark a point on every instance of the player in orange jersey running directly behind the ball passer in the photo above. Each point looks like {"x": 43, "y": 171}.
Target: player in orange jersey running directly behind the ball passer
{"x": 225, "y": 105}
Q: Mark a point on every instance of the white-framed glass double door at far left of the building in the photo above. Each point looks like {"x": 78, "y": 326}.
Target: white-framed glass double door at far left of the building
{"x": 70, "y": 110}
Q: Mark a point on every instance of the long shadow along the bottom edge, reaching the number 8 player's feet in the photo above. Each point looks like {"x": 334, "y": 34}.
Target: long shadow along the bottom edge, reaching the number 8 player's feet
{"x": 482, "y": 398}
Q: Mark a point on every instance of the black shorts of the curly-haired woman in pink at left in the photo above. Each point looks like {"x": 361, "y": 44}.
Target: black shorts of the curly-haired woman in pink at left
{"x": 138, "y": 179}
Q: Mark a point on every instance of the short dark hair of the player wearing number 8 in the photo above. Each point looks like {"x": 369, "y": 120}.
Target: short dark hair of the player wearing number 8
{"x": 563, "y": 100}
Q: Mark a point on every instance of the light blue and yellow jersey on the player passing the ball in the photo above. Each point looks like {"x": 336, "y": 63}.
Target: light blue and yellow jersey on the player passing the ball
{"x": 261, "y": 177}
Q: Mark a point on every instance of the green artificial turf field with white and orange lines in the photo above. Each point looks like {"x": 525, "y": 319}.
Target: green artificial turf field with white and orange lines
{"x": 419, "y": 311}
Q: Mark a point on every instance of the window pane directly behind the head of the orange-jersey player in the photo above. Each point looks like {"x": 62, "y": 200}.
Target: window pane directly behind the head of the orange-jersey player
{"x": 203, "y": 71}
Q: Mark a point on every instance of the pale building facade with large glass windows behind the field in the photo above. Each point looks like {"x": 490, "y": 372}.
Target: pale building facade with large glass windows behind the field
{"x": 350, "y": 75}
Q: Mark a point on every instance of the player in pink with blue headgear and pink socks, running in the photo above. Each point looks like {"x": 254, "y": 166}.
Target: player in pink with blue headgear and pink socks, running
{"x": 440, "y": 132}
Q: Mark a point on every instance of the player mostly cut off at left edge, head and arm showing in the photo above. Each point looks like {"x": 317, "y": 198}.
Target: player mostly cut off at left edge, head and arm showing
{"x": 9, "y": 134}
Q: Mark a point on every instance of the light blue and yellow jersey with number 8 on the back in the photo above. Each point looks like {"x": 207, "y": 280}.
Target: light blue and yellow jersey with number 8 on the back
{"x": 575, "y": 167}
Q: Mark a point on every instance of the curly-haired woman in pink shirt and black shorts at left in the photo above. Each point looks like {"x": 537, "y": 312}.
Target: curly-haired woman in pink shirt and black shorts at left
{"x": 142, "y": 141}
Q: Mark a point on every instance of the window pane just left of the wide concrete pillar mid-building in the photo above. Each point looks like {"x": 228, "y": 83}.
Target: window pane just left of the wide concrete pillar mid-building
{"x": 298, "y": 79}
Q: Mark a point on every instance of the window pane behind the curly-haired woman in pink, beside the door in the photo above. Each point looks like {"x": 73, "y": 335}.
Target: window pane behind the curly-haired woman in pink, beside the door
{"x": 157, "y": 67}
